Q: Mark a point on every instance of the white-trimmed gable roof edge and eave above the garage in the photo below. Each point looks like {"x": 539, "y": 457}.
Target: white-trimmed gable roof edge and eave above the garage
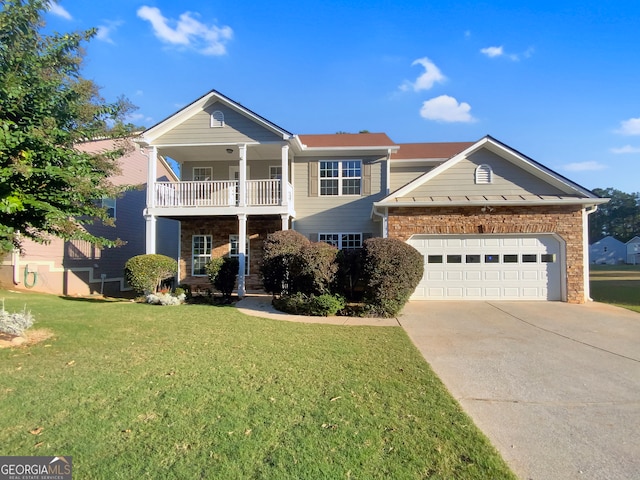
{"x": 571, "y": 192}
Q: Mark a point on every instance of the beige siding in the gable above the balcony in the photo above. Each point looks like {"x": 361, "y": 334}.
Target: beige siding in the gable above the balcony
{"x": 237, "y": 129}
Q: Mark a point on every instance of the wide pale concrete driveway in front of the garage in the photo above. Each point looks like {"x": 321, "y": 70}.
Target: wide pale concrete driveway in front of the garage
{"x": 555, "y": 387}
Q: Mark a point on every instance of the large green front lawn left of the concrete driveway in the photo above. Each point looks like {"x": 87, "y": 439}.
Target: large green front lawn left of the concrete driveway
{"x": 139, "y": 391}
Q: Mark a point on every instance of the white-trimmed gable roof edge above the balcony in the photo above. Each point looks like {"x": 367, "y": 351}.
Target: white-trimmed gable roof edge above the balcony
{"x": 162, "y": 127}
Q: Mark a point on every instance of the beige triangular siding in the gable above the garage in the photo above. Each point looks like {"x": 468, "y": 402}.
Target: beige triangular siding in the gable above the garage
{"x": 508, "y": 179}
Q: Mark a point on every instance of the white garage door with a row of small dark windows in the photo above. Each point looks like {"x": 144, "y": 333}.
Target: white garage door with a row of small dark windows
{"x": 486, "y": 267}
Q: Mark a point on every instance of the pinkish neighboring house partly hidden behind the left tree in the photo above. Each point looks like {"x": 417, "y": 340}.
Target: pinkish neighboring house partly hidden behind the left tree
{"x": 79, "y": 268}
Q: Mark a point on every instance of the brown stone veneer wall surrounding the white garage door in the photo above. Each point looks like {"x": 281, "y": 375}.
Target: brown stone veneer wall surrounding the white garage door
{"x": 565, "y": 221}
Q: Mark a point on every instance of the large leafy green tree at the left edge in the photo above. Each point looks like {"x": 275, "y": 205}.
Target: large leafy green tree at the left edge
{"x": 47, "y": 187}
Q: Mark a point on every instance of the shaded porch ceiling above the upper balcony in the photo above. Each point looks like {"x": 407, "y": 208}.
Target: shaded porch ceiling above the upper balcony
{"x": 212, "y": 153}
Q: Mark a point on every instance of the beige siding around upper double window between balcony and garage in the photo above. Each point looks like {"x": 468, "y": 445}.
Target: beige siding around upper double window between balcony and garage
{"x": 329, "y": 214}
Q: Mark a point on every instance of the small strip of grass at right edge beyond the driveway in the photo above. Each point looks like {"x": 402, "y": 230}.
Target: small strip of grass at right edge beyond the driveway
{"x": 616, "y": 284}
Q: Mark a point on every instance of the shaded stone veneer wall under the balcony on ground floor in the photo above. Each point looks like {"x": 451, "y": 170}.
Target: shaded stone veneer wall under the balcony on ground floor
{"x": 220, "y": 228}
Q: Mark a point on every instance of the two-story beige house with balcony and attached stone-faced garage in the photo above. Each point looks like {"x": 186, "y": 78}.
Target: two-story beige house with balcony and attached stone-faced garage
{"x": 490, "y": 222}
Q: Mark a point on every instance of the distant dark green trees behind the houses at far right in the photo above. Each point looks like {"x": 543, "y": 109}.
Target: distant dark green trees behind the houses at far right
{"x": 620, "y": 217}
